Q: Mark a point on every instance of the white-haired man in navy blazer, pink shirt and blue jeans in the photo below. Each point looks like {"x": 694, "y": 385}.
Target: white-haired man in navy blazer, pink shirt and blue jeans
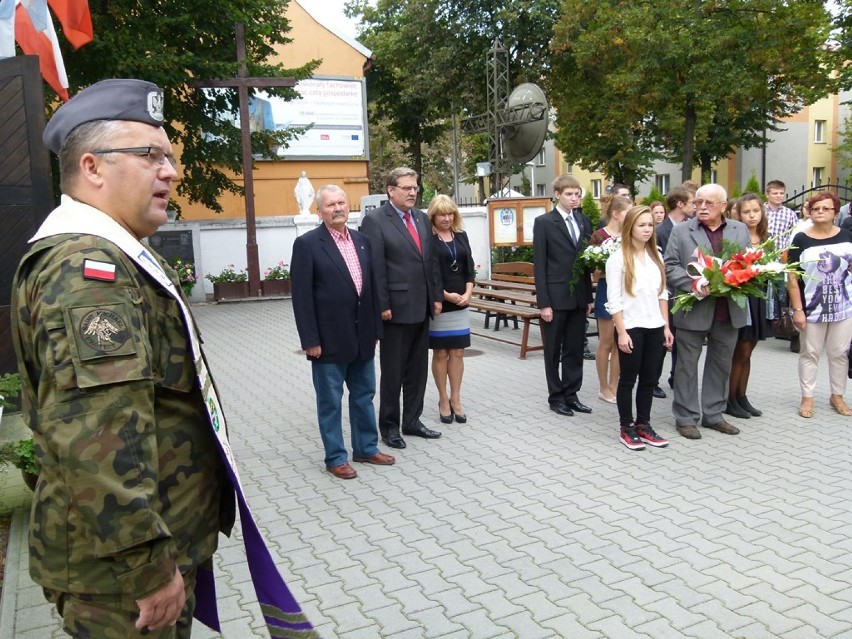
{"x": 337, "y": 316}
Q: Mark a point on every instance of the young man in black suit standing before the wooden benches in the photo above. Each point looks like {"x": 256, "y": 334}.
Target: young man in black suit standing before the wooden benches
{"x": 558, "y": 237}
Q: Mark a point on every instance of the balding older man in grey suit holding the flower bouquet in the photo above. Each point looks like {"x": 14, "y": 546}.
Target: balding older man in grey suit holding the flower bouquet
{"x": 716, "y": 319}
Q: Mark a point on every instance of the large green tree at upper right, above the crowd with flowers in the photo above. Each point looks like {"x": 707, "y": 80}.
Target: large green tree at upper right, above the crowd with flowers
{"x": 636, "y": 81}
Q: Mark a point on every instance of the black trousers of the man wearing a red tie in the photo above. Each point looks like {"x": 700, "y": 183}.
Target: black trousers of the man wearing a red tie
{"x": 404, "y": 357}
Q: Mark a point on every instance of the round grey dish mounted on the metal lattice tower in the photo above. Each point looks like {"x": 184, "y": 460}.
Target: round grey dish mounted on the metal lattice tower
{"x": 526, "y": 125}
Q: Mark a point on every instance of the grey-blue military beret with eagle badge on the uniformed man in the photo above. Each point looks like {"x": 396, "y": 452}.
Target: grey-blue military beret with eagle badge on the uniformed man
{"x": 117, "y": 99}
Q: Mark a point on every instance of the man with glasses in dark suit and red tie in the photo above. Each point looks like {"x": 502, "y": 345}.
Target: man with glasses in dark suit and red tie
{"x": 409, "y": 292}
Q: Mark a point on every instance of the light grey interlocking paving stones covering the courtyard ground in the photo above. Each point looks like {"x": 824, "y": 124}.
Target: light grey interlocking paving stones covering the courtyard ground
{"x": 522, "y": 523}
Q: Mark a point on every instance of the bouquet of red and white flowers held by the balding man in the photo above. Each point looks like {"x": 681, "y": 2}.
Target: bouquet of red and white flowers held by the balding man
{"x": 737, "y": 274}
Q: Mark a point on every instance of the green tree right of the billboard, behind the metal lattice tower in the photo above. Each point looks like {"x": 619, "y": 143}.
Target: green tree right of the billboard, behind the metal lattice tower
{"x": 430, "y": 55}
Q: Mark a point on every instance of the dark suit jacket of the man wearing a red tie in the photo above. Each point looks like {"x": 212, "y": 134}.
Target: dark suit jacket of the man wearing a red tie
{"x": 408, "y": 282}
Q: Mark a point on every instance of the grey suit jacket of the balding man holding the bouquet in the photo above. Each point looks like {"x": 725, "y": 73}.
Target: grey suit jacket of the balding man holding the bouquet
{"x": 686, "y": 238}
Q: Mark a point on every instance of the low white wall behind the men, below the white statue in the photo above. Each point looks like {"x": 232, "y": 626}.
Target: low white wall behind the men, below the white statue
{"x": 220, "y": 243}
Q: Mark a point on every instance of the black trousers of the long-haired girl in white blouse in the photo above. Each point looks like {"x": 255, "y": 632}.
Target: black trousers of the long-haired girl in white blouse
{"x": 643, "y": 362}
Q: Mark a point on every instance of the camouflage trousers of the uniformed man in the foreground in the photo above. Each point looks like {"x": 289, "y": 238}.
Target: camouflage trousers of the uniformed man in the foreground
{"x": 114, "y": 616}
